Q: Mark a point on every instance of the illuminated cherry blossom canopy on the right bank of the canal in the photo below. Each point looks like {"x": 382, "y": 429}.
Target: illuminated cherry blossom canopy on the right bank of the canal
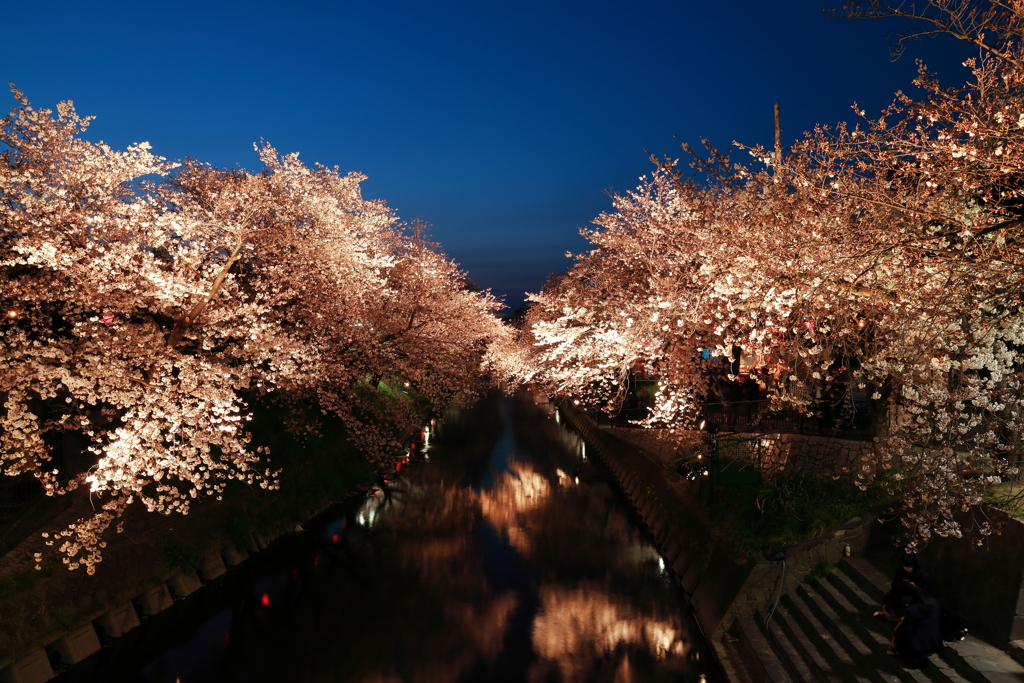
{"x": 886, "y": 261}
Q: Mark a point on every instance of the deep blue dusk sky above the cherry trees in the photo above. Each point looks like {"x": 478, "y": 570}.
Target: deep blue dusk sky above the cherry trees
{"x": 503, "y": 124}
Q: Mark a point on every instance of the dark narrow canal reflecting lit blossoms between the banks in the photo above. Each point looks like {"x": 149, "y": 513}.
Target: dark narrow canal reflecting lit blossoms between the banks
{"x": 500, "y": 553}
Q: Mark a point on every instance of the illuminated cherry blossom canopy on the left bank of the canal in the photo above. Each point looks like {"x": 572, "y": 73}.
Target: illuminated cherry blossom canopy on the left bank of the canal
{"x": 145, "y": 304}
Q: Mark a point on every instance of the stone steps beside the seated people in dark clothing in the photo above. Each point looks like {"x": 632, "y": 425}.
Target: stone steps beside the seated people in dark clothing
{"x": 825, "y": 633}
